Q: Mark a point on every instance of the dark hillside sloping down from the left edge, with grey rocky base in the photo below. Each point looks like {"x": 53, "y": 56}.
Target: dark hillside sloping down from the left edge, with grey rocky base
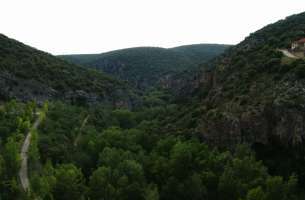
{"x": 29, "y": 74}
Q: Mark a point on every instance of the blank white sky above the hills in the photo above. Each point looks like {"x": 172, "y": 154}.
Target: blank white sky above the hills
{"x": 95, "y": 26}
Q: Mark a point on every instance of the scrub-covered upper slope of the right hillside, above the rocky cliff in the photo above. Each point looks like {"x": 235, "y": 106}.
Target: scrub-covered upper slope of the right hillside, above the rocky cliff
{"x": 256, "y": 63}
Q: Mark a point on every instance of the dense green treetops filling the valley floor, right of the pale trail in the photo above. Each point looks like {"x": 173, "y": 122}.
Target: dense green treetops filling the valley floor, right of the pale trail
{"x": 112, "y": 161}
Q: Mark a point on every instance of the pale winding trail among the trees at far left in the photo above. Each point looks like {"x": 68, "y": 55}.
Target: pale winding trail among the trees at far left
{"x": 23, "y": 172}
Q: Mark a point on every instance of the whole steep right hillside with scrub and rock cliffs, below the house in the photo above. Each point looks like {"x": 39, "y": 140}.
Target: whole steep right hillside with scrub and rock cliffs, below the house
{"x": 255, "y": 94}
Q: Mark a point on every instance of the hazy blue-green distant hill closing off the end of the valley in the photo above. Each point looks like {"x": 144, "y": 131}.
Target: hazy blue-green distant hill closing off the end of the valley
{"x": 144, "y": 67}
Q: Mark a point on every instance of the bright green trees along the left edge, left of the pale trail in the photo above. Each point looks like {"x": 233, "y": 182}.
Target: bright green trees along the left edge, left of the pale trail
{"x": 15, "y": 121}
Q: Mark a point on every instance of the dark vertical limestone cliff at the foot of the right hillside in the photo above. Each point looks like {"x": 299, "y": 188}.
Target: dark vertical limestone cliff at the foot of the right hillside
{"x": 278, "y": 125}
